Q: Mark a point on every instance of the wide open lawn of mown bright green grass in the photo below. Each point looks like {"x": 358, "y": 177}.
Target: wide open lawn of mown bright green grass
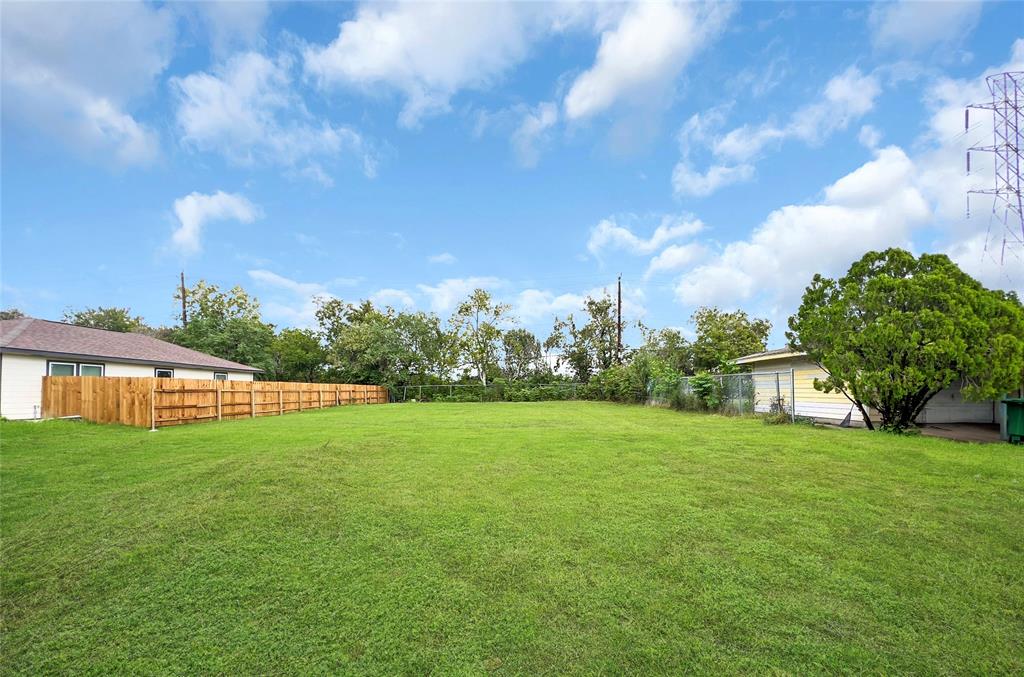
{"x": 546, "y": 538}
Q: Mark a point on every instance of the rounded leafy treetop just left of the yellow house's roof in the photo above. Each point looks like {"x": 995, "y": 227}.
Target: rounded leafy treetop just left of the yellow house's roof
{"x": 721, "y": 337}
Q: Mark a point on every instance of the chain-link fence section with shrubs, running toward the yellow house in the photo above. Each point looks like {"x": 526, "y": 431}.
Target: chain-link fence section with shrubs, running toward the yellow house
{"x": 761, "y": 393}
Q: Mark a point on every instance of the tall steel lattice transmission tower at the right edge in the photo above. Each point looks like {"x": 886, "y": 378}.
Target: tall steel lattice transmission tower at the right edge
{"x": 1008, "y": 128}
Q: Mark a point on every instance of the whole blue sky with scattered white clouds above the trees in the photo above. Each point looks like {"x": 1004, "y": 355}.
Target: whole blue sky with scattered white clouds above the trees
{"x": 712, "y": 154}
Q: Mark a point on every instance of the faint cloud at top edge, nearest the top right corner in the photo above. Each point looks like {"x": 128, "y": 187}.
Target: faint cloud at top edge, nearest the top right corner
{"x": 915, "y": 26}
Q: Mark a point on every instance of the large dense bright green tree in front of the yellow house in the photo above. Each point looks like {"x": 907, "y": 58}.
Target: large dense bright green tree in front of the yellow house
{"x": 897, "y": 330}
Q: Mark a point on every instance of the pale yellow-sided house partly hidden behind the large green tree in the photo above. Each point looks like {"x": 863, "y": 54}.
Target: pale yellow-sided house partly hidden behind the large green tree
{"x": 789, "y": 375}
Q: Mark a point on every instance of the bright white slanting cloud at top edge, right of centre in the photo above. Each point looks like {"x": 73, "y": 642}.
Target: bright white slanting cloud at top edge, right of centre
{"x": 641, "y": 58}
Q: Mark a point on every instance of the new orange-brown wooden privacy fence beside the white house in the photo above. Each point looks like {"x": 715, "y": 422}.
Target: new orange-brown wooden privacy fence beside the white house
{"x": 155, "y": 403}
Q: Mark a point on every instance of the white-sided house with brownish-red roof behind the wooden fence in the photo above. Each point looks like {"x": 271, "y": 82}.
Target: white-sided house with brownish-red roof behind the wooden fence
{"x": 32, "y": 349}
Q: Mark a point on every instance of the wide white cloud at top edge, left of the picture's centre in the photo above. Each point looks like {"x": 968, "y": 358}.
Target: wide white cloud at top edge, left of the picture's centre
{"x": 430, "y": 52}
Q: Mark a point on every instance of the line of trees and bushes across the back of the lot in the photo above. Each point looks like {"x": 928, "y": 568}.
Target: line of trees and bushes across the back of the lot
{"x": 481, "y": 343}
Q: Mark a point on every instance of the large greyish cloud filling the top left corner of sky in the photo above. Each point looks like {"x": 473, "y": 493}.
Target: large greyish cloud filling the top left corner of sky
{"x": 73, "y": 72}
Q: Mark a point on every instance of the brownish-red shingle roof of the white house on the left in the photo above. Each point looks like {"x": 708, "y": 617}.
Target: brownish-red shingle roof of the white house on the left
{"x": 44, "y": 337}
